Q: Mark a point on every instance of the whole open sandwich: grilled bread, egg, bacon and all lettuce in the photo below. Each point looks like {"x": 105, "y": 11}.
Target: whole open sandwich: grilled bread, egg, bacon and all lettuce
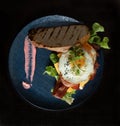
{"x": 74, "y": 56}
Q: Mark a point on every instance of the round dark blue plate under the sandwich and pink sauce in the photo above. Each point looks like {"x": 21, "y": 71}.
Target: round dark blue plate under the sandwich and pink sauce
{"x": 39, "y": 94}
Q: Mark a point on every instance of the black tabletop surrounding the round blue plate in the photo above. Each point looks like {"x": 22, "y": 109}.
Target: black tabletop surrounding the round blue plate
{"x": 103, "y": 107}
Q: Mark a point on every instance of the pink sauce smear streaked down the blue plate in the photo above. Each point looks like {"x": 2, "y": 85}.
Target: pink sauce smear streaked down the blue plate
{"x": 30, "y": 61}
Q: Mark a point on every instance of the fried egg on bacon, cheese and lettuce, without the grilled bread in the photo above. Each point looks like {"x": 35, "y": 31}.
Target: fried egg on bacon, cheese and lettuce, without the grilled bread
{"x": 72, "y": 70}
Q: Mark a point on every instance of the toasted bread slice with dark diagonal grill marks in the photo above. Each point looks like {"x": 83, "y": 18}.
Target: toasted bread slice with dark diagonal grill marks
{"x": 59, "y": 38}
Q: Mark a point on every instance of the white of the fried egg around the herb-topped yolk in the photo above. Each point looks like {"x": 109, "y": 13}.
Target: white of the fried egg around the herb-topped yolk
{"x": 86, "y": 69}
